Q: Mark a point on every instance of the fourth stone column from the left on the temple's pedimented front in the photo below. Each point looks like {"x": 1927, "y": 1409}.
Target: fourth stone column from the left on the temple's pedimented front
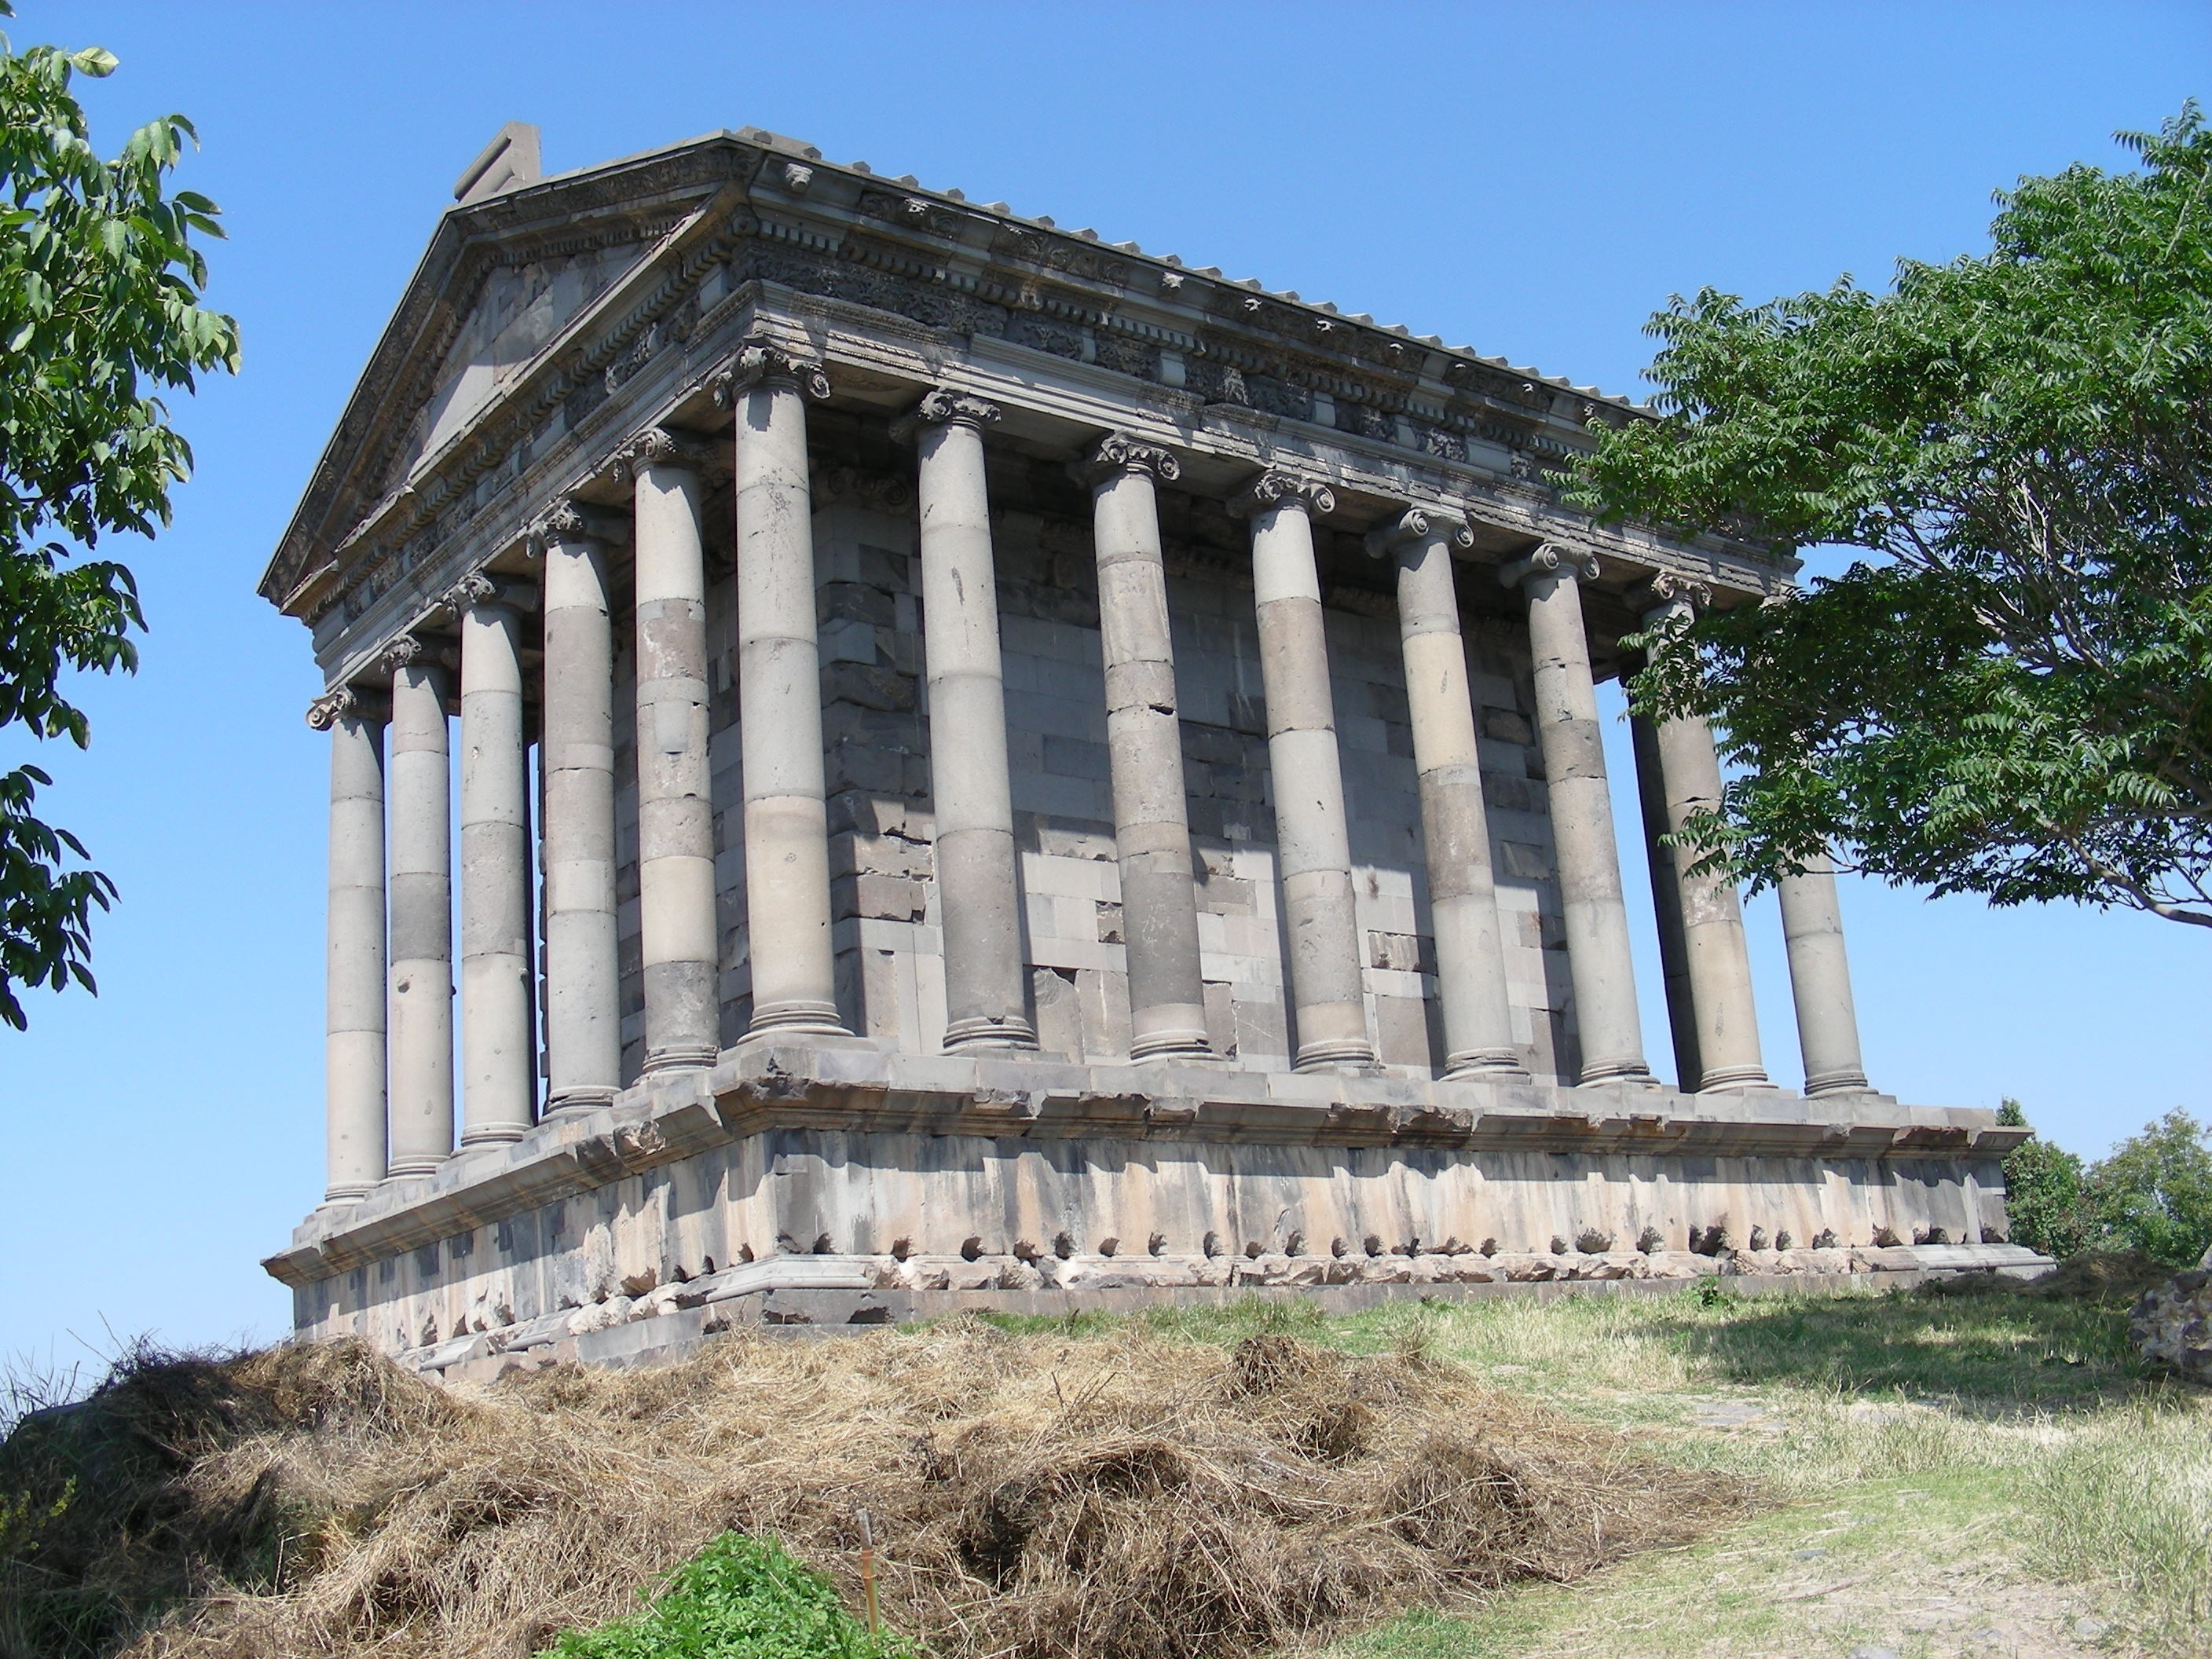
{"x": 576, "y": 760}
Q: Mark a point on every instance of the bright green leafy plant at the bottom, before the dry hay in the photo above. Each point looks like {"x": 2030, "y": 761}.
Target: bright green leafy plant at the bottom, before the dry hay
{"x": 740, "y": 1598}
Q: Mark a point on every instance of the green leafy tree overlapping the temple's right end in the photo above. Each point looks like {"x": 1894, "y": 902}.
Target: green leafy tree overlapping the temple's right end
{"x": 2012, "y": 693}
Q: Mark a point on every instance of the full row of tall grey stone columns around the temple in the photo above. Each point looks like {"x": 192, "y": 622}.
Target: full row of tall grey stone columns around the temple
{"x": 390, "y": 990}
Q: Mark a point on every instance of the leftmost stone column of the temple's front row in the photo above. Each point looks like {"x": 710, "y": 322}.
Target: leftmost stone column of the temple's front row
{"x": 355, "y": 970}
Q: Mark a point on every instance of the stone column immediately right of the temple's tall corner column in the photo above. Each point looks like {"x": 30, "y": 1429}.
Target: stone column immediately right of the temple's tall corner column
{"x": 979, "y": 897}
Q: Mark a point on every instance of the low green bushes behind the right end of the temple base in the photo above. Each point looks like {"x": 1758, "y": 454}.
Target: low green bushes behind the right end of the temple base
{"x": 2151, "y": 1196}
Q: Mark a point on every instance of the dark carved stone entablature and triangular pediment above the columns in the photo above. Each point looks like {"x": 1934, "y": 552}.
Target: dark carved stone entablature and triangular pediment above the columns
{"x": 656, "y": 264}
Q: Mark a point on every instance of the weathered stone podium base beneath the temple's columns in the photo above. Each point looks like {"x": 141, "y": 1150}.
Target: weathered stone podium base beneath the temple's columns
{"x": 828, "y": 1185}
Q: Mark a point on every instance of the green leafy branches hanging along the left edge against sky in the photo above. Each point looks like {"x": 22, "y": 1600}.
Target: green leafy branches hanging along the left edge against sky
{"x": 98, "y": 309}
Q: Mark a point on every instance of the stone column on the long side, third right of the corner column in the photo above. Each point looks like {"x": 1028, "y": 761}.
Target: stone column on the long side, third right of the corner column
{"x": 1313, "y": 842}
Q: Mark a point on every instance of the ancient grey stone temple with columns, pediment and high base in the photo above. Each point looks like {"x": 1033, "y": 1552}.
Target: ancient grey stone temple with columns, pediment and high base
{"x": 952, "y": 762}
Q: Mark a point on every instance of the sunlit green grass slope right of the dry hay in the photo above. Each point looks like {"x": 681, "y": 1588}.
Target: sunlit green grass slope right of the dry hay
{"x": 1950, "y": 1472}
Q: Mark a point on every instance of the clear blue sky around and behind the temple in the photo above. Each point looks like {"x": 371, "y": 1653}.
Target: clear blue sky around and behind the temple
{"x": 1527, "y": 180}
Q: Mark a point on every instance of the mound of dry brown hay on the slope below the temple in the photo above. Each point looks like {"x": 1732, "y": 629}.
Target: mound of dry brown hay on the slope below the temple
{"x": 1112, "y": 1496}
